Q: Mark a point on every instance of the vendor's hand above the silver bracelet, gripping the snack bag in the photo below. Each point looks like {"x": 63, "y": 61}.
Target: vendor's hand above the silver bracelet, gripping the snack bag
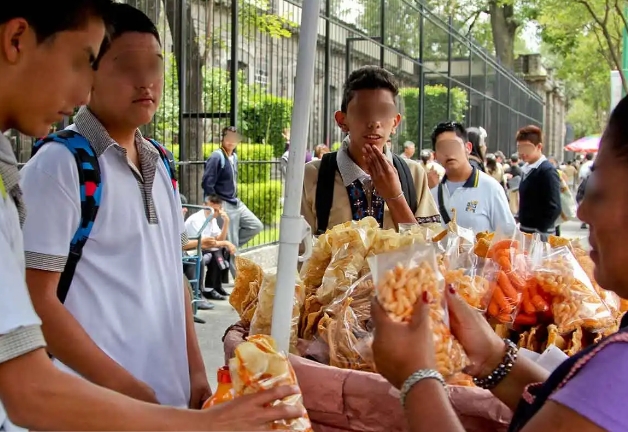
{"x": 400, "y": 349}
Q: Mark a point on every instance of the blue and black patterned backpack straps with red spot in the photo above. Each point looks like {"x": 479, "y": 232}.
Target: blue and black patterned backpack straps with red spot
{"x": 90, "y": 191}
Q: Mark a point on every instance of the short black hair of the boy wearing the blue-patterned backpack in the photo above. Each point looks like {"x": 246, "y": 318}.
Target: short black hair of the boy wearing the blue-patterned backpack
{"x": 123, "y": 18}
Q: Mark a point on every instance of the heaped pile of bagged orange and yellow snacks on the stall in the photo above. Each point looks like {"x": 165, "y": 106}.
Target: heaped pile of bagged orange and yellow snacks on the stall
{"x": 535, "y": 293}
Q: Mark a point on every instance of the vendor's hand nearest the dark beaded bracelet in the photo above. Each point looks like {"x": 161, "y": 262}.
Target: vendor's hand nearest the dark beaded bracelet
{"x": 483, "y": 347}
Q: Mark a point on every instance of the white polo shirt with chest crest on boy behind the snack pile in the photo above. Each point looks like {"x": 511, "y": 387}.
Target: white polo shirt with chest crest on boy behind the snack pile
{"x": 480, "y": 203}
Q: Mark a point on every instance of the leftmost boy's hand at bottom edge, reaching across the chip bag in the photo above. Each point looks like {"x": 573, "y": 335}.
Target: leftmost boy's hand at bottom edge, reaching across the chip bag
{"x": 252, "y": 412}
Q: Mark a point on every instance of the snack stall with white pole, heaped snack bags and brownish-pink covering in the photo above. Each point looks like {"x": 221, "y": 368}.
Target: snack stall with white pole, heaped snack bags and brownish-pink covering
{"x": 539, "y": 295}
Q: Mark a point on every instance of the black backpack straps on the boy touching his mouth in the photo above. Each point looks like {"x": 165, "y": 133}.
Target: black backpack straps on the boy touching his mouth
{"x": 327, "y": 177}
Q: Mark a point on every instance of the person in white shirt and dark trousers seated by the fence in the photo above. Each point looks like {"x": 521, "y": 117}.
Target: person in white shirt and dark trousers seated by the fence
{"x": 216, "y": 258}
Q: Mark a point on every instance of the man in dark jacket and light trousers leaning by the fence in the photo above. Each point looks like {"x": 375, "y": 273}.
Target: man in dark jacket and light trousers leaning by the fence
{"x": 220, "y": 178}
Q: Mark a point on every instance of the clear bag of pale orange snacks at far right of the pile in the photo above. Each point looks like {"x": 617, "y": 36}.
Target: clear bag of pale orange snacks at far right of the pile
{"x": 575, "y": 302}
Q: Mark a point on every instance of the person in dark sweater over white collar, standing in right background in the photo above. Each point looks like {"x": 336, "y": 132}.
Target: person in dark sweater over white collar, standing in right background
{"x": 539, "y": 190}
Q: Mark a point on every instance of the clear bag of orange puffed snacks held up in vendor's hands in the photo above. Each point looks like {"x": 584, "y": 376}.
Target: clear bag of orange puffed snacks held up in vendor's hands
{"x": 401, "y": 277}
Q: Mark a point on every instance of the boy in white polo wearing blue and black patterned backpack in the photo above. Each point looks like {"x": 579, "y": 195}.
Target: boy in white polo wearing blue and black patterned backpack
{"x": 115, "y": 310}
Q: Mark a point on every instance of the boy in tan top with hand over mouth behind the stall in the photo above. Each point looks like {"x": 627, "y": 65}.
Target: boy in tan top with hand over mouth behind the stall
{"x": 364, "y": 178}
